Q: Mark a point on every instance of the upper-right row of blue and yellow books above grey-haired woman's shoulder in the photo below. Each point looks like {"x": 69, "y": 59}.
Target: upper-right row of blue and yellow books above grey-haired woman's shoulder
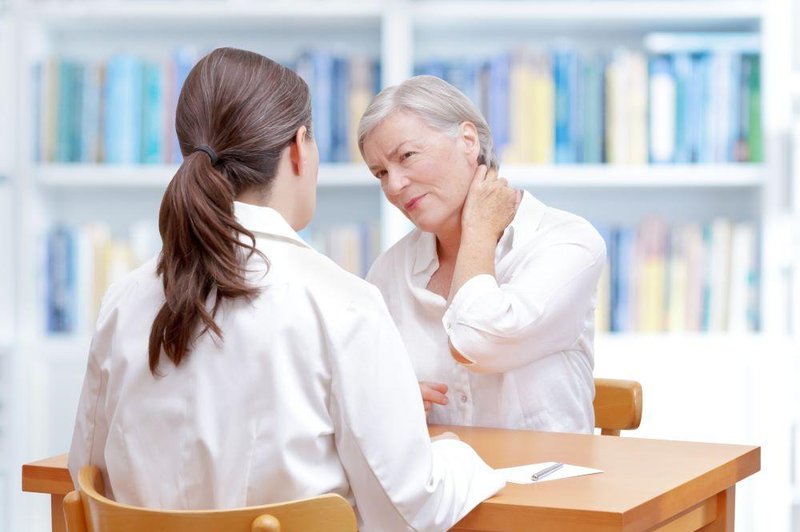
{"x": 687, "y": 98}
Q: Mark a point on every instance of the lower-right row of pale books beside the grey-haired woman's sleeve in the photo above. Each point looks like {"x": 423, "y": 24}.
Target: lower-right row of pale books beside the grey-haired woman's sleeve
{"x": 688, "y": 277}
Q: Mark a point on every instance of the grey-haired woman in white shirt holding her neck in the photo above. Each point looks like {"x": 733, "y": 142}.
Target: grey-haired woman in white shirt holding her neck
{"x": 493, "y": 291}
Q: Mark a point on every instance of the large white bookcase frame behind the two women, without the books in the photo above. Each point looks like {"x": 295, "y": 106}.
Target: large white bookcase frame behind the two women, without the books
{"x": 402, "y": 34}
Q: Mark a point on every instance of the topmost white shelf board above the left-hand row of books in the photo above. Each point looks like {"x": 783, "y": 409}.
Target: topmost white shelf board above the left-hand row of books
{"x": 193, "y": 14}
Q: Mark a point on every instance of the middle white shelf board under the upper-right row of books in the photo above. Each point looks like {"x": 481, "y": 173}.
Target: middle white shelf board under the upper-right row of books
{"x": 648, "y": 176}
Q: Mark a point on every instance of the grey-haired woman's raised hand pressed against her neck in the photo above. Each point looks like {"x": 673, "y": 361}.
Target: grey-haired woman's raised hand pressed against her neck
{"x": 490, "y": 205}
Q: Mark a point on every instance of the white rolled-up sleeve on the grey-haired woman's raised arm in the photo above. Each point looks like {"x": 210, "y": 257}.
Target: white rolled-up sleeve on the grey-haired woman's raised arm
{"x": 541, "y": 310}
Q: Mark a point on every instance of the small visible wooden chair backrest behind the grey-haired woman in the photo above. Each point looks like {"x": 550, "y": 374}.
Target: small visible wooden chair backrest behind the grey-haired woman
{"x": 617, "y": 405}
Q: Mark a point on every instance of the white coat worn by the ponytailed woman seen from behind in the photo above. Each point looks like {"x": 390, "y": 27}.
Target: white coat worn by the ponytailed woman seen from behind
{"x": 310, "y": 392}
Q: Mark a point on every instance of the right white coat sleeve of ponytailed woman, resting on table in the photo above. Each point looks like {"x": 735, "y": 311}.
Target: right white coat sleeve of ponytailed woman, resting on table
{"x": 399, "y": 479}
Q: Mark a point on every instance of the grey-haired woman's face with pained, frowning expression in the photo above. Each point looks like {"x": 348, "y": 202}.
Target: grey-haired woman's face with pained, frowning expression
{"x": 423, "y": 172}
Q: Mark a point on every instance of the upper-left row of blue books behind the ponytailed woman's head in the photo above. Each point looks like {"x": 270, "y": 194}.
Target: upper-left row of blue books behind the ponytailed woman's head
{"x": 122, "y": 110}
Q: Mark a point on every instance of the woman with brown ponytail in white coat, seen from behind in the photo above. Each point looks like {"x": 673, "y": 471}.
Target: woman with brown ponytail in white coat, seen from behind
{"x": 240, "y": 367}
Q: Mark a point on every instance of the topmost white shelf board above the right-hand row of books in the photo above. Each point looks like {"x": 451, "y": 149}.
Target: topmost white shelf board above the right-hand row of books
{"x": 620, "y": 13}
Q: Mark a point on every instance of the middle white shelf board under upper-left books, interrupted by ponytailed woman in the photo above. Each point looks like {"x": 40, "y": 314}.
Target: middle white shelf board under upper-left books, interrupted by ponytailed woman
{"x": 158, "y": 176}
